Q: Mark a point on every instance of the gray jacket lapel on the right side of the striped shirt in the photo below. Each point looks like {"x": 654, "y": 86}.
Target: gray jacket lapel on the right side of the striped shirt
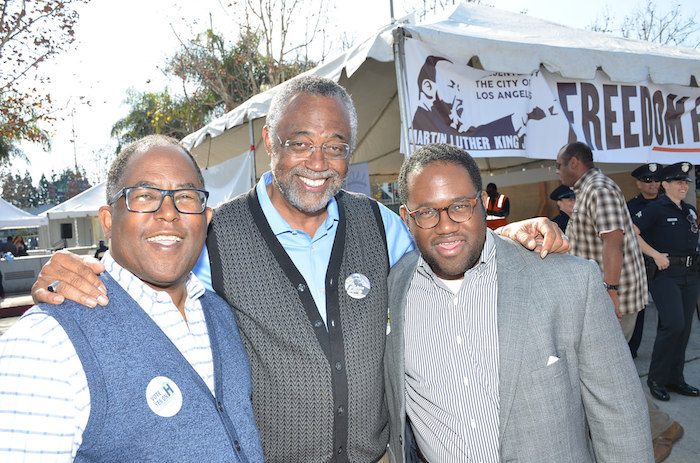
{"x": 513, "y": 314}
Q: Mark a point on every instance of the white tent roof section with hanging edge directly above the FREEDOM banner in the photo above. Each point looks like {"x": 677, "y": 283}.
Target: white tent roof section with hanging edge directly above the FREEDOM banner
{"x": 517, "y": 43}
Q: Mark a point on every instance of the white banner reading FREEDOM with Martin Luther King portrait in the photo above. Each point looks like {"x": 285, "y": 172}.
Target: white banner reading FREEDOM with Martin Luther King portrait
{"x": 500, "y": 114}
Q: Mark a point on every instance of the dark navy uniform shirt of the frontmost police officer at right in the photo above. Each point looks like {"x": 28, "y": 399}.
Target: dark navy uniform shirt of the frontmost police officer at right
{"x": 668, "y": 228}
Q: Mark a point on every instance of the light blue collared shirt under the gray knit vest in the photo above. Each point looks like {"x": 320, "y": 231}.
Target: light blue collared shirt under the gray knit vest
{"x": 312, "y": 254}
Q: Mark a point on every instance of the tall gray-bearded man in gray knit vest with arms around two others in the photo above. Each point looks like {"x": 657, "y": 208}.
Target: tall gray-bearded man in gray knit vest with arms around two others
{"x": 304, "y": 265}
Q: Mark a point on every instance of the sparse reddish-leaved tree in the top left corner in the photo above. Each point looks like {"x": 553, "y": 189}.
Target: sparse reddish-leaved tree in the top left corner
{"x": 31, "y": 32}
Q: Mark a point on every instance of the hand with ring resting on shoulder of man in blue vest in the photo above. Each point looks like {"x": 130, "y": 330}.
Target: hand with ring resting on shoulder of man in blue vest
{"x": 77, "y": 278}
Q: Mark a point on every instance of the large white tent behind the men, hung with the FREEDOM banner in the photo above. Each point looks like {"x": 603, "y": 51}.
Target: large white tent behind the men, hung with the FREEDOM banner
{"x": 487, "y": 39}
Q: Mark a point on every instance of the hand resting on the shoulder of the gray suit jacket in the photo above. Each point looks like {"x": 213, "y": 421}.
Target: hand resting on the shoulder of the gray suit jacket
{"x": 539, "y": 234}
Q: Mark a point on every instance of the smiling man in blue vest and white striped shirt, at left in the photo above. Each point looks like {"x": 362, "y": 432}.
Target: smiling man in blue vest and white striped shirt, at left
{"x": 161, "y": 374}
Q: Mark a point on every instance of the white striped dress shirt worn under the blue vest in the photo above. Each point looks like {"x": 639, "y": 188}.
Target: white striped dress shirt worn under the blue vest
{"x": 44, "y": 395}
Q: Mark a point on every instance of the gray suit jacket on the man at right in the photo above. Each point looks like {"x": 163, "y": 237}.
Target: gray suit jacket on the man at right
{"x": 556, "y": 306}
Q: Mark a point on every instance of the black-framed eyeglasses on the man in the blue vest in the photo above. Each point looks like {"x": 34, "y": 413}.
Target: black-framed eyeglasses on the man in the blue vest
{"x": 149, "y": 199}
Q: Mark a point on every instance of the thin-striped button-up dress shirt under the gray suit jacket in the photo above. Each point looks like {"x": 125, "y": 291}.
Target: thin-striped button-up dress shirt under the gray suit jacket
{"x": 451, "y": 343}
